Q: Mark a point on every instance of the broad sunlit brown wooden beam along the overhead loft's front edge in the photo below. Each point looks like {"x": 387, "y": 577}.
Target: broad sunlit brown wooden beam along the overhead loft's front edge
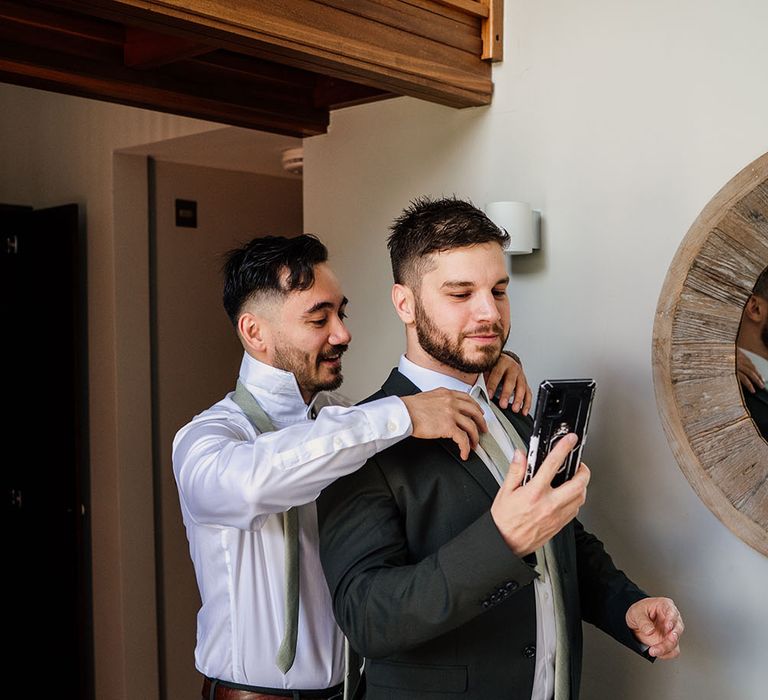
{"x": 322, "y": 38}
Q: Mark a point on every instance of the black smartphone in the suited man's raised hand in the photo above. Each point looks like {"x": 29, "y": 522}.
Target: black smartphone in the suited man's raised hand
{"x": 562, "y": 406}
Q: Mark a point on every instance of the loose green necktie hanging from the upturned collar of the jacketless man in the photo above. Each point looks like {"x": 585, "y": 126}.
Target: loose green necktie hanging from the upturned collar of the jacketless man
{"x": 287, "y": 651}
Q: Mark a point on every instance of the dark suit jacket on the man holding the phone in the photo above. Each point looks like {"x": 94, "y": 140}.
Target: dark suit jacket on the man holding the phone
{"x": 425, "y": 588}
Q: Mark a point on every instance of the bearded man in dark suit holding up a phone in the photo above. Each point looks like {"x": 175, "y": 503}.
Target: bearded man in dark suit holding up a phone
{"x": 449, "y": 578}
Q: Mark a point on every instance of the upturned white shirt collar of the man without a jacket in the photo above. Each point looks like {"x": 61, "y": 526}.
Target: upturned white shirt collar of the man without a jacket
{"x": 276, "y": 390}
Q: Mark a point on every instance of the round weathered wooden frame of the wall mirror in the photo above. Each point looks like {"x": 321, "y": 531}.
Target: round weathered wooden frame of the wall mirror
{"x": 712, "y": 436}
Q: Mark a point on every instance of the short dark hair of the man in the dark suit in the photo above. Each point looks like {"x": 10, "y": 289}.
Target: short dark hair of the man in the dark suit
{"x": 434, "y": 225}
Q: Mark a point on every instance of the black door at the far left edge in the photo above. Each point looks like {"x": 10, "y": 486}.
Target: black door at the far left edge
{"x": 44, "y": 476}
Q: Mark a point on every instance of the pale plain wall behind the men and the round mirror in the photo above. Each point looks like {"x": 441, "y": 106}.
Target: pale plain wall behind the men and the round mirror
{"x": 619, "y": 120}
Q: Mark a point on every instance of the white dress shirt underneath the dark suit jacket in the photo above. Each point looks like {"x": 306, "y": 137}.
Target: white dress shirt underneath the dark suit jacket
{"x": 546, "y": 641}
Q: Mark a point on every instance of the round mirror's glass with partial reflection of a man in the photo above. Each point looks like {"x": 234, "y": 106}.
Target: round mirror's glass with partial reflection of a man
{"x": 752, "y": 354}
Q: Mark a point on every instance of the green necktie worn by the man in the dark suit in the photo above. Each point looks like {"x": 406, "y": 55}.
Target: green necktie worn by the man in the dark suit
{"x": 545, "y": 556}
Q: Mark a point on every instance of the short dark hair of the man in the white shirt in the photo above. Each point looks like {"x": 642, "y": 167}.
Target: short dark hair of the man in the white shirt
{"x": 260, "y": 265}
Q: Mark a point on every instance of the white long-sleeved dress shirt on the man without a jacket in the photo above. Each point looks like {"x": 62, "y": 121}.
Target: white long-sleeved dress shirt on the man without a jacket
{"x": 234, "y": 485}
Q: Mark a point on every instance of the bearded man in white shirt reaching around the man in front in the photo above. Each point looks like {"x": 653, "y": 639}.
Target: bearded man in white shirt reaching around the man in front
{"x": 249, "y": 468}
